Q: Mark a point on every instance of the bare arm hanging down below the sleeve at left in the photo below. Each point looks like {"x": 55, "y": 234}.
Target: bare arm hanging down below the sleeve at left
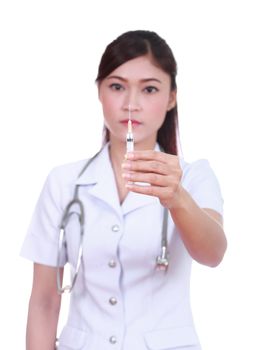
{"x": 44, "y": 307}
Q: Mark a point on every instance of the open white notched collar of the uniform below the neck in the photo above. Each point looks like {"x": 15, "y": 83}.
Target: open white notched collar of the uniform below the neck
{"x": 100, "y": 179}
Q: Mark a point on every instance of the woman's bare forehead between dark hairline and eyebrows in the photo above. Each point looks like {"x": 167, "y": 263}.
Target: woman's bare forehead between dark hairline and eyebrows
{"x": 139, "y": 68}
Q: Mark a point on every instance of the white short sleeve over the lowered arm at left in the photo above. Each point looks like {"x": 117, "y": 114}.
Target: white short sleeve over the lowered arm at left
{"x": 41, "y": 242}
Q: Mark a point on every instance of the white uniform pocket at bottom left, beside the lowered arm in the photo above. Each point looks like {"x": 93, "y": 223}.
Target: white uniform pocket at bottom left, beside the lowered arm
{"x": 72, "y": 339}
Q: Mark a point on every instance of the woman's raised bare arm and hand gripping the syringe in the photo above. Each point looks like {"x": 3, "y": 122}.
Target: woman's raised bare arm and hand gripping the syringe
{"x": 201, "y": 229}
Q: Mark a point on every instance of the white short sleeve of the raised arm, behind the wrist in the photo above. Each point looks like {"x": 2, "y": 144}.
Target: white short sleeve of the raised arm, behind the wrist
{"x": 201, "y": 182}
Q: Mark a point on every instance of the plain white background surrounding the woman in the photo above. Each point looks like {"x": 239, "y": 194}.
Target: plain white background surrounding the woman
{"x": 50, "y": 115}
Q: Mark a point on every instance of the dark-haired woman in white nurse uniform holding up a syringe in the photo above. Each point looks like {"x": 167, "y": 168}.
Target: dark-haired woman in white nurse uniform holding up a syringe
{"x": 121, "y": 300}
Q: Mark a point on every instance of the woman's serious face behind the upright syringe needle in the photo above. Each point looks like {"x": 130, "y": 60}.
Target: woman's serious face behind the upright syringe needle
{"x": 143, "y": 88}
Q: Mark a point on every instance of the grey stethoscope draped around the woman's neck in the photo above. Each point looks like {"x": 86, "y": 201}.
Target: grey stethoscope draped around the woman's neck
{"x": 162, "y": 261}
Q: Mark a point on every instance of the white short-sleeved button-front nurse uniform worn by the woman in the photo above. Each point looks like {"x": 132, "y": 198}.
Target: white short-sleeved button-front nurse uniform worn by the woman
{"x": 120, "y": 301}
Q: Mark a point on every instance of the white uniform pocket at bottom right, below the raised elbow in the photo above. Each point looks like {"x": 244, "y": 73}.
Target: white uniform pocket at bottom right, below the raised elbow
{"x": 181, "y": 338}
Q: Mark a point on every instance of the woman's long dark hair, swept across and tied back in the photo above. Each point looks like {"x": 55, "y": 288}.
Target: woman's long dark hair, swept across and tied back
{"x": 137, "y": 43}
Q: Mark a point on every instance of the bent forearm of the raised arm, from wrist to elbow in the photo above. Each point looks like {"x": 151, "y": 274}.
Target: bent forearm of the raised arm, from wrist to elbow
{"x": 202, "y": 235}
